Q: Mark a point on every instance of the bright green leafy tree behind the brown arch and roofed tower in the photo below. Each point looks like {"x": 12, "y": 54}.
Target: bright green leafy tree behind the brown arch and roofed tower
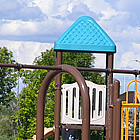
{"x": 33, "y": 79}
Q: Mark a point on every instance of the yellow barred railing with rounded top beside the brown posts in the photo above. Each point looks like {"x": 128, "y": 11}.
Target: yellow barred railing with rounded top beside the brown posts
{"x": 127, "y": 106}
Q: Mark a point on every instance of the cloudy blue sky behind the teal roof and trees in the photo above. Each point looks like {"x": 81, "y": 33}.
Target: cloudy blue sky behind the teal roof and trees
{"x": 28, "y": 27}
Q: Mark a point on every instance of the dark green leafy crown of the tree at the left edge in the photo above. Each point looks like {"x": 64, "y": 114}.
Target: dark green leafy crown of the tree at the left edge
{"x": 7, "y": 77}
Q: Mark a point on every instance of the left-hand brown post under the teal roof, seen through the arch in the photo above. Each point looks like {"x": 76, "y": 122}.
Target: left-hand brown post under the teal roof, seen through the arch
{"x": 57, "y": 108}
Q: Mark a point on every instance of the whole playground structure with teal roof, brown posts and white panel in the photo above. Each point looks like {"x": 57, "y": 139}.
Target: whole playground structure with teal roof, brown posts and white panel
{"x": 102, "y": 112}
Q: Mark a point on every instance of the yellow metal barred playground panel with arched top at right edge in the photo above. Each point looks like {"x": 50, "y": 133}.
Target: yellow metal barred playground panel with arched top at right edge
{"x": 130, "y": 115}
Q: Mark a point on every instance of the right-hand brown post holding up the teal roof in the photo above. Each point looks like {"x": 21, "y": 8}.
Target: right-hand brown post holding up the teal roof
{"x": 109, "y": 65}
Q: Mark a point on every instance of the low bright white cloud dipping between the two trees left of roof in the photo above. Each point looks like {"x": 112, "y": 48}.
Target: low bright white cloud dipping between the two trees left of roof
{"x": 25, "y": 52}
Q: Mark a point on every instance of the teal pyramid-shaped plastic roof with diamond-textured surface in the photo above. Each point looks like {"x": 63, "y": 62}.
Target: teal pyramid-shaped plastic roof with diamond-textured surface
{"x": 85, "y": 35}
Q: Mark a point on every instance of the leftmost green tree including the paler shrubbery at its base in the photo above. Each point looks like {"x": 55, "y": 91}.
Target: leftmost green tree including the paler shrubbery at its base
{"x": 7, "y": 95}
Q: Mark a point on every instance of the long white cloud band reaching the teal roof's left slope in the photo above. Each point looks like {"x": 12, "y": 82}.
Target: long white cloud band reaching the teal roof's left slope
{"x": 49, "y": 30}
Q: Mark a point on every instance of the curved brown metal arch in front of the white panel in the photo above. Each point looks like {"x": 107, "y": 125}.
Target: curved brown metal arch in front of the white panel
{"x": 85, "y": 98}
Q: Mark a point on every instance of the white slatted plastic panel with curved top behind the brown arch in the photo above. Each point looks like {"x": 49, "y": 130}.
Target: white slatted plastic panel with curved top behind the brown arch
{"x": 71, "y": 104}
